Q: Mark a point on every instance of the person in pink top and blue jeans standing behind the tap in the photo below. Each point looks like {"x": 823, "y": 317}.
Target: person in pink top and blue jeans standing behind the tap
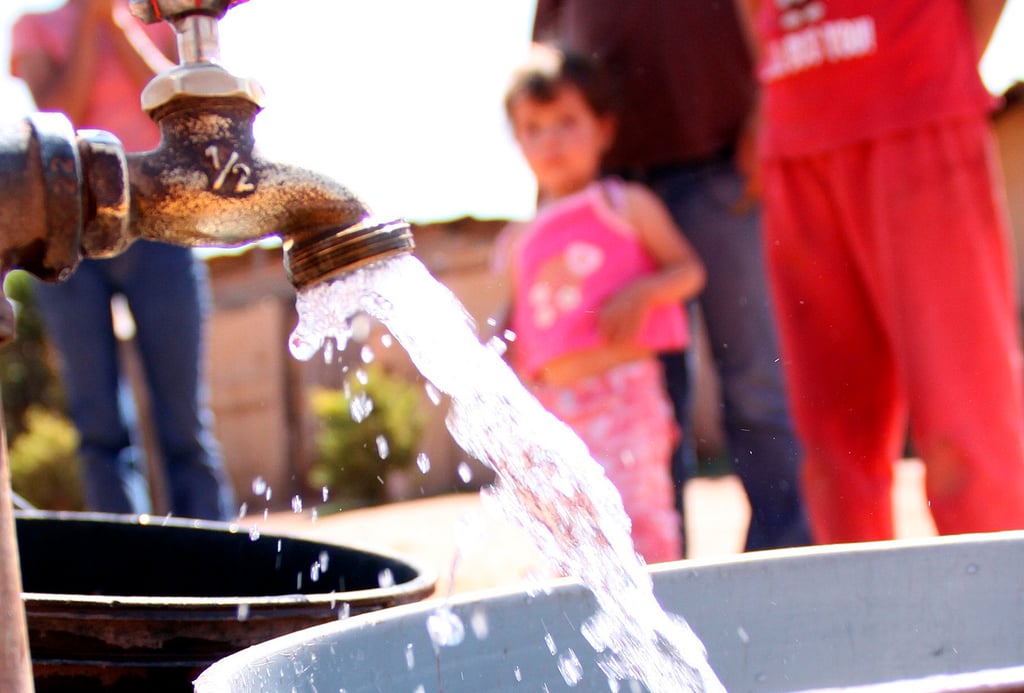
{"x": 91, "y": 60}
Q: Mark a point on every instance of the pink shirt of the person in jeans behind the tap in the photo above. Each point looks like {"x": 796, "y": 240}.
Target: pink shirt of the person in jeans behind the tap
{"x": 115, "y": 104}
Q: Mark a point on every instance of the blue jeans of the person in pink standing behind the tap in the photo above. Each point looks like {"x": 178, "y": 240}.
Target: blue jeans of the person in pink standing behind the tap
{"x": 168, "y": 293}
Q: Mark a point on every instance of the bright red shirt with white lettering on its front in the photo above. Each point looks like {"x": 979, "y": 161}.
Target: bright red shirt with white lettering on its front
{"x": 837, "y": 72}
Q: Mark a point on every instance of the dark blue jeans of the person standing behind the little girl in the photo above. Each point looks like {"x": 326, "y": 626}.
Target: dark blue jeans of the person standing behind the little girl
{"x": 742, "y": 332}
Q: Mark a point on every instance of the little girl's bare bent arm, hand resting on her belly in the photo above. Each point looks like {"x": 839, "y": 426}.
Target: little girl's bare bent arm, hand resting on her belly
{"x": 680, "y": 278}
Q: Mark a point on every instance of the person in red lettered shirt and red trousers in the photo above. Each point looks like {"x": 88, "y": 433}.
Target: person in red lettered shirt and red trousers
{"x": 887, "y": 241}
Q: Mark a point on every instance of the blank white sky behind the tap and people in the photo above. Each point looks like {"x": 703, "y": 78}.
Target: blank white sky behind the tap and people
{"x": 401, "y": 100}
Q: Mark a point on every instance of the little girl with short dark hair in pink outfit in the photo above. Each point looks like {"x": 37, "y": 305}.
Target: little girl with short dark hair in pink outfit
{"x": 598, "y": 282}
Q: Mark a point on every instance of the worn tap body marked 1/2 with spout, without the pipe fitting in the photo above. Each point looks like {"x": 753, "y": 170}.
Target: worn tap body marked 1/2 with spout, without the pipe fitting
{"x": 207, "y": 185}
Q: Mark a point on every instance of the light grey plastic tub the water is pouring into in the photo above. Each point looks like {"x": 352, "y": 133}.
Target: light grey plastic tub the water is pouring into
{"x": 944, "y": 615}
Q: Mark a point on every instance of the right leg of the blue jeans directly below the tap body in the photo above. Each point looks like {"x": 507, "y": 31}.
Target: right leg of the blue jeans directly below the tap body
{"x": 169, "y": 302}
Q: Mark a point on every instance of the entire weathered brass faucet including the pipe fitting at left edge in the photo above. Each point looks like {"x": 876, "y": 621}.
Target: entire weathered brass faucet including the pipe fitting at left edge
{"x": 71, "y": 195}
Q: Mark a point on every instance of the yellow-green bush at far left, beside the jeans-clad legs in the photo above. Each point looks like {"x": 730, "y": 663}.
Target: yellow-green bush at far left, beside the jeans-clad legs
{"x": 45, "y": 465}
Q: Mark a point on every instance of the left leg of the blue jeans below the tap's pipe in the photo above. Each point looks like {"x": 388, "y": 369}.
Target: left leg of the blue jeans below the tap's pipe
{"x": 77, "y": 316}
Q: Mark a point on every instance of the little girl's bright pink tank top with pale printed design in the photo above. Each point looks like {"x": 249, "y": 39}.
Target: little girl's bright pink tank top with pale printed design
{"x": 573, "y": 257}
